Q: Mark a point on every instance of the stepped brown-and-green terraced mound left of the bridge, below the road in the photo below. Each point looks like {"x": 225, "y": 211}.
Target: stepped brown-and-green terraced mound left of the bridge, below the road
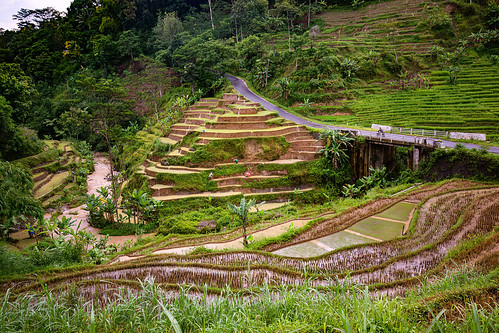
{"x": 265, "y": 140}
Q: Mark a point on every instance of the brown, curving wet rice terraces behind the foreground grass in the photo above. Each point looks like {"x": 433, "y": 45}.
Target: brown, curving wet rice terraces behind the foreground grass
{"x": 448, "y": 213}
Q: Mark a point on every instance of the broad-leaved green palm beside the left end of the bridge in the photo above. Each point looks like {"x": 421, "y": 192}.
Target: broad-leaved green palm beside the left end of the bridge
{"x": 335, "y": 146}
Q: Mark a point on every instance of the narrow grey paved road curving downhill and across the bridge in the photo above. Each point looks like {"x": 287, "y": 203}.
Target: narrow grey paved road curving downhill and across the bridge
{"x": 240, "y": 85}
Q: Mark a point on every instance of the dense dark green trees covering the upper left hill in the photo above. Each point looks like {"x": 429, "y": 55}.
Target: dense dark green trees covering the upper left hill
{"x": 59, "y": 69}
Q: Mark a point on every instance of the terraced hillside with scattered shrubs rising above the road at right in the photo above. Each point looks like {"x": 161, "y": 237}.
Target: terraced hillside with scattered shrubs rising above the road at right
{"x": 394, "y": 66}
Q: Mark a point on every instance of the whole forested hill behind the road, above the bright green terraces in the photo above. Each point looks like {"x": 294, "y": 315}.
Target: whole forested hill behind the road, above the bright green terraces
{"x": 57, "y": 68}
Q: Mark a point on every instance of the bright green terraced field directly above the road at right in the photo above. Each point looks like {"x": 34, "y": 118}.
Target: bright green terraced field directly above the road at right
{"x": 469, "y": 106}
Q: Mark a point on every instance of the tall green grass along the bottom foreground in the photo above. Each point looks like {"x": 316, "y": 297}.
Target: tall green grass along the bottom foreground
{"x": 343, "y": 307}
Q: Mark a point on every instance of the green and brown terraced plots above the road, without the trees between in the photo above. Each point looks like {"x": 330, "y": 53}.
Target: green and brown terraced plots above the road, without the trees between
{"x": 389, "y": 27}
